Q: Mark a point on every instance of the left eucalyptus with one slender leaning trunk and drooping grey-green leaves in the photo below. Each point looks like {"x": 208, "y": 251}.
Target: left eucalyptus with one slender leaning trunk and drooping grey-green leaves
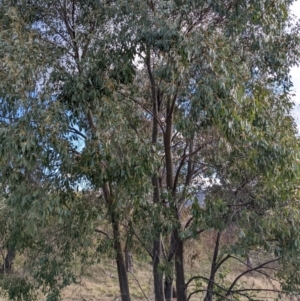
{"x": 65, "y": 117}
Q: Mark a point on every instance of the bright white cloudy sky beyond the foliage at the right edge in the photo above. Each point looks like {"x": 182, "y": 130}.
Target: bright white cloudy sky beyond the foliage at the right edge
{"x": 295, "y": 72}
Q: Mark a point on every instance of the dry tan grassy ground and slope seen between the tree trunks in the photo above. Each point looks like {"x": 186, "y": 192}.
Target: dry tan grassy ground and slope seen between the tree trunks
{"x": 100, "y": 281}
